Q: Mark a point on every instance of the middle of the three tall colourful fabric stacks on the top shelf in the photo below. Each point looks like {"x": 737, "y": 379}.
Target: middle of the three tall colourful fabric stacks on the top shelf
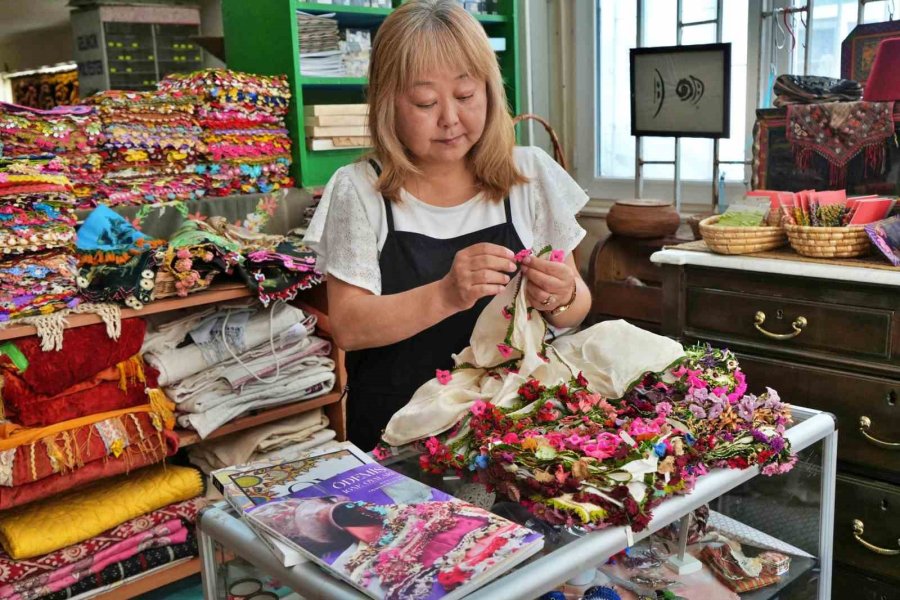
{"x": 152, "y": 145}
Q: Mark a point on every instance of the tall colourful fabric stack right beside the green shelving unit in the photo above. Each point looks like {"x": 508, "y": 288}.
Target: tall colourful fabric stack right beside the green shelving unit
{"x": 242, "y": 117}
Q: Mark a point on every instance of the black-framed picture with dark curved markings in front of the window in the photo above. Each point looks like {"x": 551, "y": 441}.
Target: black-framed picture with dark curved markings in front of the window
{"x": 681, "y": 91}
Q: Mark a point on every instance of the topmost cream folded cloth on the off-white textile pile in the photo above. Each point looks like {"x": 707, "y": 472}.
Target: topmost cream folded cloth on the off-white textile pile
{"x": 177, "y": 364}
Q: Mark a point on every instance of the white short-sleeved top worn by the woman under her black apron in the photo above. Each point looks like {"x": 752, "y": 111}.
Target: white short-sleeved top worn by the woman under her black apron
{"x": 349, "y": 228}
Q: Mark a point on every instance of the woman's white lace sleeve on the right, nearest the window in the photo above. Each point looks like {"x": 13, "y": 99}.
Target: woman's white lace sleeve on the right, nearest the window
{"x": 556, "y": 199}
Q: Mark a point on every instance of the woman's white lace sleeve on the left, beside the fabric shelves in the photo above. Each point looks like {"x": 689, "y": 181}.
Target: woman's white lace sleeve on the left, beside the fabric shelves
{"x": 343, "y": 238}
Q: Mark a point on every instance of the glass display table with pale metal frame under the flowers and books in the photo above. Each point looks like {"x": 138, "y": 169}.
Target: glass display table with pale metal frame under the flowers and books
{"x": 797, "y": 508}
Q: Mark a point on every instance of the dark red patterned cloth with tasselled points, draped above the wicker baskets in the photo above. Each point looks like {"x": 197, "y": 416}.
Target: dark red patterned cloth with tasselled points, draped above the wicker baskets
{"x": 838, "y": 132}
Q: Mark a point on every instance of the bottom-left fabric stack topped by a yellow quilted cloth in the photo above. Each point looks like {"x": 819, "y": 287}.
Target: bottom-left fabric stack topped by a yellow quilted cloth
{"x": 115, "y": 529}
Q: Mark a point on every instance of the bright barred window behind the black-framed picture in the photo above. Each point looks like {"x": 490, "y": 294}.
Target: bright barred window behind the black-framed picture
{"x": 605, "y": 30}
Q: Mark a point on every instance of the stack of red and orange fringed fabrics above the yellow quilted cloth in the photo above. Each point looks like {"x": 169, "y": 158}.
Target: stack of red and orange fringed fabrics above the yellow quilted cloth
{"x": 88, "y": 411}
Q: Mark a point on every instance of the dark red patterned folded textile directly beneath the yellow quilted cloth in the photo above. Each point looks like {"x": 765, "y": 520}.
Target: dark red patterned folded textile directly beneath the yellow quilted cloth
{"x": 109, "y": 541}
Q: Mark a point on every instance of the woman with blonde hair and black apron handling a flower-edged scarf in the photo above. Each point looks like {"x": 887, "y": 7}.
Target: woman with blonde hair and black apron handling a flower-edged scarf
{"x": 416, "y": 240}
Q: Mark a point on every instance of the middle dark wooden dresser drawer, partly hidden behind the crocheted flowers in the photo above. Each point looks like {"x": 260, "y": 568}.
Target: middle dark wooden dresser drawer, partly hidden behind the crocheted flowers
{"x": 849, "y": 398}
